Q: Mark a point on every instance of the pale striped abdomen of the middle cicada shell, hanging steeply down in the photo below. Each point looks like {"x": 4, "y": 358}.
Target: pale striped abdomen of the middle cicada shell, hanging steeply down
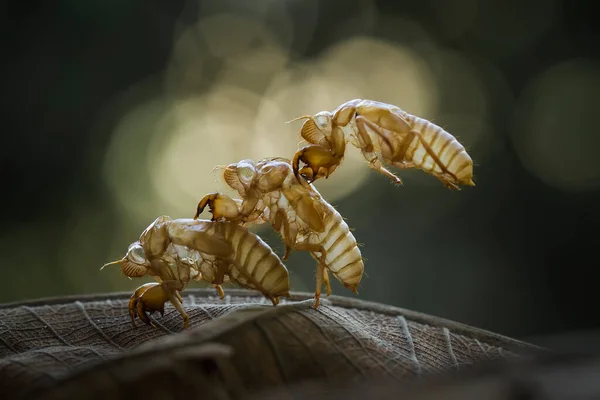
{"x": 343, "y": 258}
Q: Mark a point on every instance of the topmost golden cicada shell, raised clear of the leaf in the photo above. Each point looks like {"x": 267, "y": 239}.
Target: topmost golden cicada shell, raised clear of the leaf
{"x": 385, "y": 134}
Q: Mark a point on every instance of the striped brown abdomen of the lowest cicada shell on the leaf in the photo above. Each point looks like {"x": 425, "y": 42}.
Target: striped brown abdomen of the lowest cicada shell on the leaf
{"x": 255, "y": 264}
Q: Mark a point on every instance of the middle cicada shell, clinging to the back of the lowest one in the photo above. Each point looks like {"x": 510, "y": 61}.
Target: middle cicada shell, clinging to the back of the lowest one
{"x": 271, "y": 193}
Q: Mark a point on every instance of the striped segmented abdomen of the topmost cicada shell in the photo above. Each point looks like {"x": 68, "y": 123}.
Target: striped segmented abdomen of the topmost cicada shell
{"x": 441, "y": 153}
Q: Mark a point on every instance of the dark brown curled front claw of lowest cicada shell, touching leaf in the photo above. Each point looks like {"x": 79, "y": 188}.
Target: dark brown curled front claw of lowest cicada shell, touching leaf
{"x": 147, "y": 299}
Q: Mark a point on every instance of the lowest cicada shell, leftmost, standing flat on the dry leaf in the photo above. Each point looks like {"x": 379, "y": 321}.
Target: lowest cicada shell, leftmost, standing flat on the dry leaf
{"x": 175, "y": 251}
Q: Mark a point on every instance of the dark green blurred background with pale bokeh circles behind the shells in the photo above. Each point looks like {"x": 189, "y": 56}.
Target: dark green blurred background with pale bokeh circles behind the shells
{"x": 115, "y": 112}
